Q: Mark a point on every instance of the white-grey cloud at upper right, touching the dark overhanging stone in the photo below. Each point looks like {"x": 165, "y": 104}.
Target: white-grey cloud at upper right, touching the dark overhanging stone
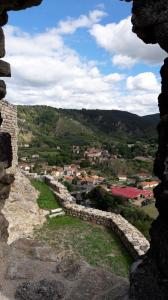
{"x": 118, "y": 39}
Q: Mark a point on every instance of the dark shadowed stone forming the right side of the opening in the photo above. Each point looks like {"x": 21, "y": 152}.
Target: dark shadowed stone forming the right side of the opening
{"x": 149, "y": 277}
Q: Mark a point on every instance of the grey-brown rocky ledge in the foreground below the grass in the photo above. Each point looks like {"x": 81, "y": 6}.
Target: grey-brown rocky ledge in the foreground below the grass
{"x": 32, "y": 271}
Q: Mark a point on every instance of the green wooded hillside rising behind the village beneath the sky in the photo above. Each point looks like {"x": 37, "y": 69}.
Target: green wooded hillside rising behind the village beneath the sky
{"x": 51, "y": 132}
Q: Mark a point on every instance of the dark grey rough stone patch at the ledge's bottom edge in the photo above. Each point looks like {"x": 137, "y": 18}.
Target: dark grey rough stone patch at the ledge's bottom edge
{"x": 41, "y": 290}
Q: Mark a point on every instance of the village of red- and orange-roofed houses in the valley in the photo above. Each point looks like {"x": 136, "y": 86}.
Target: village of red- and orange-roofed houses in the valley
{"x": 138, "y": 189}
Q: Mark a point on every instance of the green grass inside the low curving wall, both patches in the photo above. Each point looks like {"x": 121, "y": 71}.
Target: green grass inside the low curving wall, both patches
{"x": 96, "y": 244}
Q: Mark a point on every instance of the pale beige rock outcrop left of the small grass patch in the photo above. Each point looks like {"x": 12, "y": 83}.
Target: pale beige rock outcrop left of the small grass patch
{"x": 21, "y": 209}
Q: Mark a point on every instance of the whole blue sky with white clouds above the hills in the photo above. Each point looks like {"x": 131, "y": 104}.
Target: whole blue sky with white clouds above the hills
{"x": 81, "y": 54}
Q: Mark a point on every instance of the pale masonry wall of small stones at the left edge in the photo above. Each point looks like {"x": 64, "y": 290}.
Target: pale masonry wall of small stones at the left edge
{"x": 9, "y": 125}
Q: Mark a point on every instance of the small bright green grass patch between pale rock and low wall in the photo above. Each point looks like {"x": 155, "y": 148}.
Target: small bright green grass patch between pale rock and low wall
{"x": 46, "y": 199}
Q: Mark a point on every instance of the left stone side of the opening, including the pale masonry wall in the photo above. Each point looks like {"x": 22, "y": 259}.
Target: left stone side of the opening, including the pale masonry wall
{"x": 8, "y": 130}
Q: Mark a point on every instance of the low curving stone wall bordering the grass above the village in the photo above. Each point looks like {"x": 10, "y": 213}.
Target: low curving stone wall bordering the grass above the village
{"x": 132, "y": 238}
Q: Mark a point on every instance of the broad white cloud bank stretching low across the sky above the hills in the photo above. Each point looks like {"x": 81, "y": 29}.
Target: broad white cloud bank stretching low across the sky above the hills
{"x": 47, "y": 72}
